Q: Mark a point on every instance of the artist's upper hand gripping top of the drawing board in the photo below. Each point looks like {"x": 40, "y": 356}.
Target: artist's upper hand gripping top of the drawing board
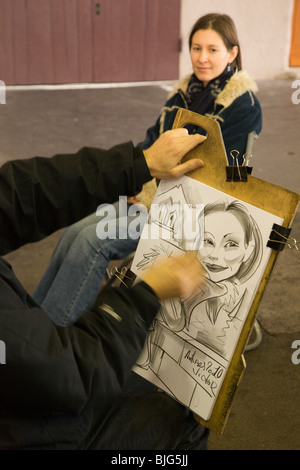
{"x": 164, "y": 156}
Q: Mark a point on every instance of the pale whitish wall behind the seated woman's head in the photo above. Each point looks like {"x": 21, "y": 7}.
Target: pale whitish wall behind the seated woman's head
{"x": 264, "y": 30}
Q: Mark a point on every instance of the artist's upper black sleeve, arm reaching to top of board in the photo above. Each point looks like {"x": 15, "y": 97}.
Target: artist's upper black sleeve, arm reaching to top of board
{"x": 40, "y": 195}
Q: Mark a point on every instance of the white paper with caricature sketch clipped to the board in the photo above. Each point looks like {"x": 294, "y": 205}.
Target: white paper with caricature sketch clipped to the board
{"x": 192, "y": 340}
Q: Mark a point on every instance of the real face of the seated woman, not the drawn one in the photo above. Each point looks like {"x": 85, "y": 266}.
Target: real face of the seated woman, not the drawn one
{"x": 209, "y": 55}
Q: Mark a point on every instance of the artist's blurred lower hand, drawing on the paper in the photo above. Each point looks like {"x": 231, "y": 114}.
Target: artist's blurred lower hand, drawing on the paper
{"x": 175, "y": 277}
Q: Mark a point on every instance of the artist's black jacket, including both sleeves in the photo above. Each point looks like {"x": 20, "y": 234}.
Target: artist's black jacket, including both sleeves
{"x": 58, "y": 384}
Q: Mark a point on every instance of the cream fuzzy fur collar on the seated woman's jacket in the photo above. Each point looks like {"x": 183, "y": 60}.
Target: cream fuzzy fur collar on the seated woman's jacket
{"x": 237, "y": 85}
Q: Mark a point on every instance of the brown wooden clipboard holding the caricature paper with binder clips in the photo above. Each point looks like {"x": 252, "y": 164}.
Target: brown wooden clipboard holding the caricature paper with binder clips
{"x": 266, "y": 196}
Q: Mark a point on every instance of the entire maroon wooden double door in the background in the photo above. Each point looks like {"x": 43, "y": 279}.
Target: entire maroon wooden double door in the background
{"x": 84, "y": 41}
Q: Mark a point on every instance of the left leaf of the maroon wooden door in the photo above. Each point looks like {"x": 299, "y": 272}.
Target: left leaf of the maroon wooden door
{"x": 39, "y": 41}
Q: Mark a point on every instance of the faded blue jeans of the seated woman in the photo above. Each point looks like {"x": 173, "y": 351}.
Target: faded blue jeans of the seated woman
{"x": 73, "y": 278}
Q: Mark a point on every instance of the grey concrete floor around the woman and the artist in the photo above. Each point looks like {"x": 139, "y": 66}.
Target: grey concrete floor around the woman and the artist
{"x": 266, "y": 411}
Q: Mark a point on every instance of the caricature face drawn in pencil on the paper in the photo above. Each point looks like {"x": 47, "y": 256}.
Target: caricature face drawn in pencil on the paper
{"x": 224, "y": 248}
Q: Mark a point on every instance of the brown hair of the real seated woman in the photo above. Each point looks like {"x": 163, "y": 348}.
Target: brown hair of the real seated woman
{"x": 225, "y": 27}
